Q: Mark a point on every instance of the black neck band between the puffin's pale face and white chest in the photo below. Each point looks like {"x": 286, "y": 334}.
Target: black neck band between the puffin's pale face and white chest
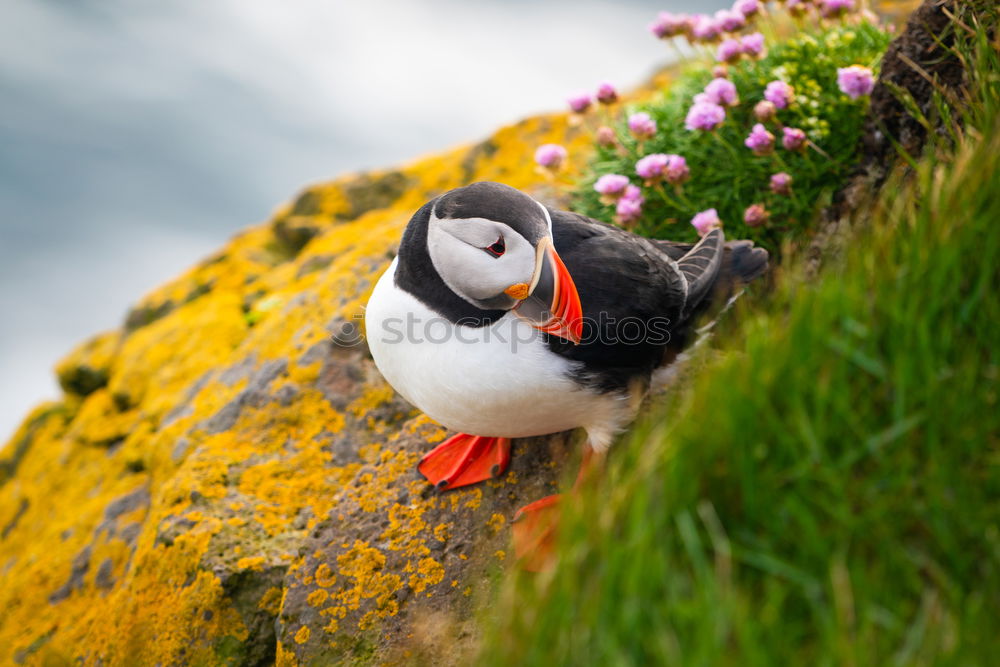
{"x": 415, "y": 273}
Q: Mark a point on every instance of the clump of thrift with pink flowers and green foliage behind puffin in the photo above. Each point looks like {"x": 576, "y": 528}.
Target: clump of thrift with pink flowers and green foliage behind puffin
{"x": 726, "y": 141}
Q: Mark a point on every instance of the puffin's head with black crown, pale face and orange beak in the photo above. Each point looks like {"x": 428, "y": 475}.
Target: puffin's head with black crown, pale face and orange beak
{"x": 492, "y": 246}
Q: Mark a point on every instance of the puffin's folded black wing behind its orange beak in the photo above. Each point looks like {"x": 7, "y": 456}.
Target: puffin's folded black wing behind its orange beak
{"x": 635, "y": 299}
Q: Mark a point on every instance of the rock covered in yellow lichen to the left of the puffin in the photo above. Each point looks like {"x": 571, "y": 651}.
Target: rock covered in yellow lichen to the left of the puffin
{"x": 156, "y": 513}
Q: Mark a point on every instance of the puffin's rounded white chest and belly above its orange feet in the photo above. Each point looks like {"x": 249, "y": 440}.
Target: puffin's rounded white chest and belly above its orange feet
{"x": 498, "y": 380}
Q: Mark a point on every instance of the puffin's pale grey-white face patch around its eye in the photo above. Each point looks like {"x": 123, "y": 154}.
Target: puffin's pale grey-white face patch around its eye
{"x": 485, "y": 262}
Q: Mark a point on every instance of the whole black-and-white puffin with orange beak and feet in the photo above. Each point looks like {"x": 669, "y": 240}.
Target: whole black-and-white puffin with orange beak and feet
{"x": 503, "y": 318}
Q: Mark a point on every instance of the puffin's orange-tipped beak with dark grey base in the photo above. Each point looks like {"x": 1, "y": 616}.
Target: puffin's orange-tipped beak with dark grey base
{"x": 552, "y": 304}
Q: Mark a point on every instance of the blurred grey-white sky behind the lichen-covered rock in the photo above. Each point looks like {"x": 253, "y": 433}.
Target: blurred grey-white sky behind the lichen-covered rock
{"x": 135, "y": 138}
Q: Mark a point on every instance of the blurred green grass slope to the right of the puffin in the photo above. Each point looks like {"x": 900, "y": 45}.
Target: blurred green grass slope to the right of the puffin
{"x": 826, "y": 489}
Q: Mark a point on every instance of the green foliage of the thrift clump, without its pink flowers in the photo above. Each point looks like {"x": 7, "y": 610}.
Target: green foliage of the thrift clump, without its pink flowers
{"x": 725, "y": 174}
